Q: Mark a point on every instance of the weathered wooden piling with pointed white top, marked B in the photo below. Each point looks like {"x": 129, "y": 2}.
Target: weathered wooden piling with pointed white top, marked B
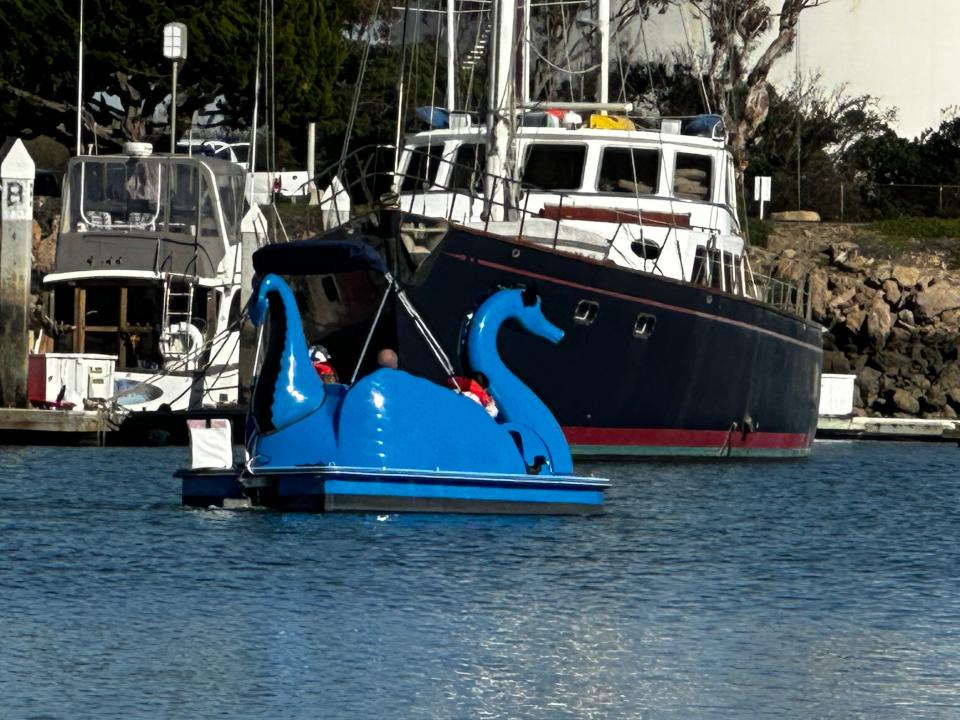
{"x": 17, "y": 172}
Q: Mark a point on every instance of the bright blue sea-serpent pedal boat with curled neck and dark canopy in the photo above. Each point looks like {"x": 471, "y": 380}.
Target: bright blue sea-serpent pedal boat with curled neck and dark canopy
{"x": 392, "y": 441}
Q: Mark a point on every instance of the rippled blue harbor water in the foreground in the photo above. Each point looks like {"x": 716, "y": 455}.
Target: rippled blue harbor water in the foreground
{"x": 819, "y": 588}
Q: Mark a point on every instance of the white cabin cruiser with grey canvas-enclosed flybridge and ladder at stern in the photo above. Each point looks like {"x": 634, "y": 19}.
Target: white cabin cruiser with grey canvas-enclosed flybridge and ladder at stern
{"x": 147, "y": 271}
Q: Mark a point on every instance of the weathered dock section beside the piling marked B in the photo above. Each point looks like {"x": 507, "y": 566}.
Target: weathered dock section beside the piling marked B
{"x": 52, "y": 427}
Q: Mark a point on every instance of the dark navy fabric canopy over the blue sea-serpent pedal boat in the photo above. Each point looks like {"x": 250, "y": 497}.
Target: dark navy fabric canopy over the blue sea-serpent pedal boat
{"x": 318, "y": 256}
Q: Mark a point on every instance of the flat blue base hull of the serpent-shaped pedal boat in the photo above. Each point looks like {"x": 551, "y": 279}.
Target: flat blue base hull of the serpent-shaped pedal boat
{"x": 368, "y": 490}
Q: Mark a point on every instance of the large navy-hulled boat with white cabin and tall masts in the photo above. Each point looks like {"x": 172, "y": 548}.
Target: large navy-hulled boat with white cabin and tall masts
{"x": 628, "y": 227}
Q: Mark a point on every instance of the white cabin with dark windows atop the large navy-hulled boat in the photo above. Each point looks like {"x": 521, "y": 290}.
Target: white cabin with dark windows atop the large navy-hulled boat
{"x": 658, "y": 201}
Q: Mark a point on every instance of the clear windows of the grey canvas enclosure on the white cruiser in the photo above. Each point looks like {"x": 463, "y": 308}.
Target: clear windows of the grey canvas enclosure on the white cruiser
{"x": 162, "y": 195}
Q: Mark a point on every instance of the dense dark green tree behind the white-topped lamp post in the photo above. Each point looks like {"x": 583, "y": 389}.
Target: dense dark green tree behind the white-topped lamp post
{"x": 127, "y": 80}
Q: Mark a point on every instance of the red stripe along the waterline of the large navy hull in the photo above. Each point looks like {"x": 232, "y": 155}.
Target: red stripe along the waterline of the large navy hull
{"x": 668, "y": 437}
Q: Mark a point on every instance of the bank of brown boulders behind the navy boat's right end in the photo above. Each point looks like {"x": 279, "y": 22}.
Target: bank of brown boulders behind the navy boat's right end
{"x": 891, "y": 312}
